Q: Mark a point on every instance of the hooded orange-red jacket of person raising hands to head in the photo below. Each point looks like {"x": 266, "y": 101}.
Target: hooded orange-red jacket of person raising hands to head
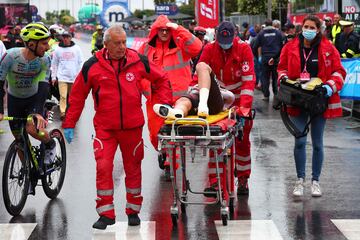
{"x": 173, "y": 56}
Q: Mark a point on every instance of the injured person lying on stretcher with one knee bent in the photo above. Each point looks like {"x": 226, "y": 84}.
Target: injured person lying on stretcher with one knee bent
{"x": 206, "y": 97}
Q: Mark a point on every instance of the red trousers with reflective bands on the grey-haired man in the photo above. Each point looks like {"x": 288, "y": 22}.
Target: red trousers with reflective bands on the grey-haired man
{"x": 131, "y": 145}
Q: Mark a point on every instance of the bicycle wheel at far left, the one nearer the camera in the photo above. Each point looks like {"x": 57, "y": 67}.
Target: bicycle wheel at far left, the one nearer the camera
{"x": 15, "y": 179}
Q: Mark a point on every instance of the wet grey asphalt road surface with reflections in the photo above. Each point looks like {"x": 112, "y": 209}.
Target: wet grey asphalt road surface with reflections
{"x": 72, "y": 214}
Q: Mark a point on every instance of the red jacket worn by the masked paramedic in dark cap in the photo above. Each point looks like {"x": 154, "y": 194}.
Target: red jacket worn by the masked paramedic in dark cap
{"x": 234, "y": 69}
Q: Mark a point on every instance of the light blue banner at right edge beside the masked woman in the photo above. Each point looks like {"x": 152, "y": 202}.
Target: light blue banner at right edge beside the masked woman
{"x": 351, "y": 88}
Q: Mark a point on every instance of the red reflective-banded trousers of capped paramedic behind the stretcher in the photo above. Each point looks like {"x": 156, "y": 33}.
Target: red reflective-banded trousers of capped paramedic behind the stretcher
{"x": 242, "y": 156}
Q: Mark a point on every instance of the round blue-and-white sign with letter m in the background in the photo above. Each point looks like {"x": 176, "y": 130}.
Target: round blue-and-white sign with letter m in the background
{"x": 114, "y": 11}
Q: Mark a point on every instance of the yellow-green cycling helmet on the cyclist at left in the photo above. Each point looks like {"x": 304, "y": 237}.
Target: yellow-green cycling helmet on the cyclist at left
{"x": 34, "y": 31}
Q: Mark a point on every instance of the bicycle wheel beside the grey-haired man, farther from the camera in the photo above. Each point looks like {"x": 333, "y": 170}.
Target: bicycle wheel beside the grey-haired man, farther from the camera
{"x": 54, "y": 176}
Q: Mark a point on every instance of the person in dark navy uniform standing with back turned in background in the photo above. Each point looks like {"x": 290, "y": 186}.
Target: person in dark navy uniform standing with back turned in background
{"x": 269, "y": 44}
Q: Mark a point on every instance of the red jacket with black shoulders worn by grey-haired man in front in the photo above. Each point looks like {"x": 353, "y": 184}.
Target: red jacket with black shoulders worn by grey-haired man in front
{"x": 117, "y": 96}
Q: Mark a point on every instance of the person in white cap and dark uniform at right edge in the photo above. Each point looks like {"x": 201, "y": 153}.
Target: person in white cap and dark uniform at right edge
{"x": 347, "y": 42}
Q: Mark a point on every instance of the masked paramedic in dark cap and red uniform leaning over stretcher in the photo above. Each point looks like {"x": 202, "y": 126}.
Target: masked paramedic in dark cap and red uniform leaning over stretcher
{"x": 231, "y": 60}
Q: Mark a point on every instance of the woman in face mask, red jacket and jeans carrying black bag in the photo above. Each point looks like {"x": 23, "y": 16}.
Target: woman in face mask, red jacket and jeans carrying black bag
{"x": 312, "y": 55}
